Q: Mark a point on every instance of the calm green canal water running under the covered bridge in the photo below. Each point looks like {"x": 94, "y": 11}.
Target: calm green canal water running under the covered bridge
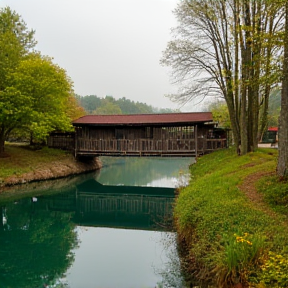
{"x": 108, "y": 229}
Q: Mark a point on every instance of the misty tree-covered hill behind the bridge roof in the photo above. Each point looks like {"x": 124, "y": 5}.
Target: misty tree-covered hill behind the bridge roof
{"x": 93, "y": 104}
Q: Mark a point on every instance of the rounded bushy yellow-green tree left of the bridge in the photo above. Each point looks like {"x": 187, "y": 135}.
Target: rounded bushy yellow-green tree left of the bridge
{"x": 35, "y": 99}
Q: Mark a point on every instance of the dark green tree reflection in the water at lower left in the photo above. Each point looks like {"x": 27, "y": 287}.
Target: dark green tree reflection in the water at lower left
{"x": 36, "y": 245}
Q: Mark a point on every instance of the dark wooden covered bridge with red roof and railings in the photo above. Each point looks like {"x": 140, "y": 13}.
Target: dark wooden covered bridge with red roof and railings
{"x": 174, "y": 134}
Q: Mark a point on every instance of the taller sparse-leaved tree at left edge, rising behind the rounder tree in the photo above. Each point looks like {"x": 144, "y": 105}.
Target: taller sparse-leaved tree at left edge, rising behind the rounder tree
{"x": 16, "y": 41}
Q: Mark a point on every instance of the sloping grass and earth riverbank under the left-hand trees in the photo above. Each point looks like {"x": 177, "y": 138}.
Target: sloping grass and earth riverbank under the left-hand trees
{"x": 23, "y": 164}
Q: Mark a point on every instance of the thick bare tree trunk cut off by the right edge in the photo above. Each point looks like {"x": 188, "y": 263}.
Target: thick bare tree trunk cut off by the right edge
{"x": 282, "y": 167}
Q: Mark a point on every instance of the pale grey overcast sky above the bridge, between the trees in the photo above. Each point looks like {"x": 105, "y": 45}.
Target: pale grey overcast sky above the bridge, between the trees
{"x": 107, "y": 47}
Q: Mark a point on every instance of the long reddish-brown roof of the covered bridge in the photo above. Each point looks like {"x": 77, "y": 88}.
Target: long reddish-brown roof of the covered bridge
{"x": 143, "y": 119}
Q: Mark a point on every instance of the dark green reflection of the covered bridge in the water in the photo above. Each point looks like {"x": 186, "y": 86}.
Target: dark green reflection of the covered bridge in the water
{"x": 131, "y": 207}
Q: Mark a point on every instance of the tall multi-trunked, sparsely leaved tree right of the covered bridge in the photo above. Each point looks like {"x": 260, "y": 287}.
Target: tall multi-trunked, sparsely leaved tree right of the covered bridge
{"x": 228, "y": 49}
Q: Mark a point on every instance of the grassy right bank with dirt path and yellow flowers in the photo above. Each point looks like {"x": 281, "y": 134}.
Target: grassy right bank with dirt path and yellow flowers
{"x": 232, "y": 221}
